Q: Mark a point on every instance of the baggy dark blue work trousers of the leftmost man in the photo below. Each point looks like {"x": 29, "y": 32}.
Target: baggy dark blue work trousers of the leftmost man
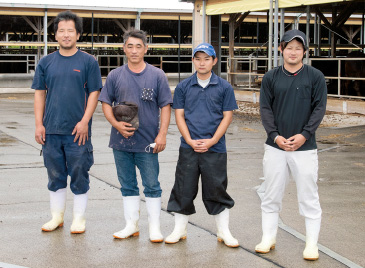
{"x": 62, "y": 157}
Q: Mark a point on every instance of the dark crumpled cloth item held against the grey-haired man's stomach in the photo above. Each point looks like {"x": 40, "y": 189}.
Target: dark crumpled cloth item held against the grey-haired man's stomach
{"x": 127, "y": 112}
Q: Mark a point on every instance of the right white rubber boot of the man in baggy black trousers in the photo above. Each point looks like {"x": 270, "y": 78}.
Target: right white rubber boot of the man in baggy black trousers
{"x": 224, "y": 234}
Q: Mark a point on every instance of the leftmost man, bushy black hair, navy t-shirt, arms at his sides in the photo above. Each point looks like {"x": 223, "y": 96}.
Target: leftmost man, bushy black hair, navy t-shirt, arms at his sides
{"x": 67, "y": 84}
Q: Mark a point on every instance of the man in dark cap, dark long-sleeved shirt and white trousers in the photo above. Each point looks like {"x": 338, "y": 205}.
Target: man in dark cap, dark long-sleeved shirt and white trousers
{"x": 292, "y": 105}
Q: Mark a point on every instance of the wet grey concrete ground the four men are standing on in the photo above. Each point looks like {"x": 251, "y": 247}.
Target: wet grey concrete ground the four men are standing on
{"x": 24, "y": 203}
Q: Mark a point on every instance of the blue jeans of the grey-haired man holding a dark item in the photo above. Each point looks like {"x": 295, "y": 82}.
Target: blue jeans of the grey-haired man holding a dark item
{"x": 148, "y": 166}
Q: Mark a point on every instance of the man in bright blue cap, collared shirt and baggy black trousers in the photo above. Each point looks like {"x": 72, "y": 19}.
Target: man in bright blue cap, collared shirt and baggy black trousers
{"x": 204, "y": 105}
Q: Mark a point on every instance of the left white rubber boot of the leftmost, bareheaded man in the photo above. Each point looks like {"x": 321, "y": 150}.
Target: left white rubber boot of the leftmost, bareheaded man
{"x": 58, "y": 205}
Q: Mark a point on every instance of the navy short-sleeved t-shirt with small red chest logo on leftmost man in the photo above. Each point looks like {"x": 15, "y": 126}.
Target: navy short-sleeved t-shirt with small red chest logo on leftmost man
{"x": 68, "y": 81}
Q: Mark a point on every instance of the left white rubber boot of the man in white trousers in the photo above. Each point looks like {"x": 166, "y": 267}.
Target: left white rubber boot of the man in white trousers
{"x": 269, "y": 230}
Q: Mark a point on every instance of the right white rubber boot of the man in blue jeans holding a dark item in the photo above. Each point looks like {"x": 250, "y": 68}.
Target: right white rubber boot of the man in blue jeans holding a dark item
{"x": 154, "y": 210}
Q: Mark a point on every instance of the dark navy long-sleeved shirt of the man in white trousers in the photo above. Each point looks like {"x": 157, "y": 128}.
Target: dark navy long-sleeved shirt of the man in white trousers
{"x": 293, "y": 104}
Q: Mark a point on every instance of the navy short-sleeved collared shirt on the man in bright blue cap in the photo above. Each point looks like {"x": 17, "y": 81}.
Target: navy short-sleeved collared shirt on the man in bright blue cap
{"x": 204, "y": 107}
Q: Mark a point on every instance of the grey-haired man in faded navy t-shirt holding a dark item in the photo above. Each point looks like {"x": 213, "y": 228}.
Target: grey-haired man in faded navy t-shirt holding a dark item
{"x": 145, "y": 86}
